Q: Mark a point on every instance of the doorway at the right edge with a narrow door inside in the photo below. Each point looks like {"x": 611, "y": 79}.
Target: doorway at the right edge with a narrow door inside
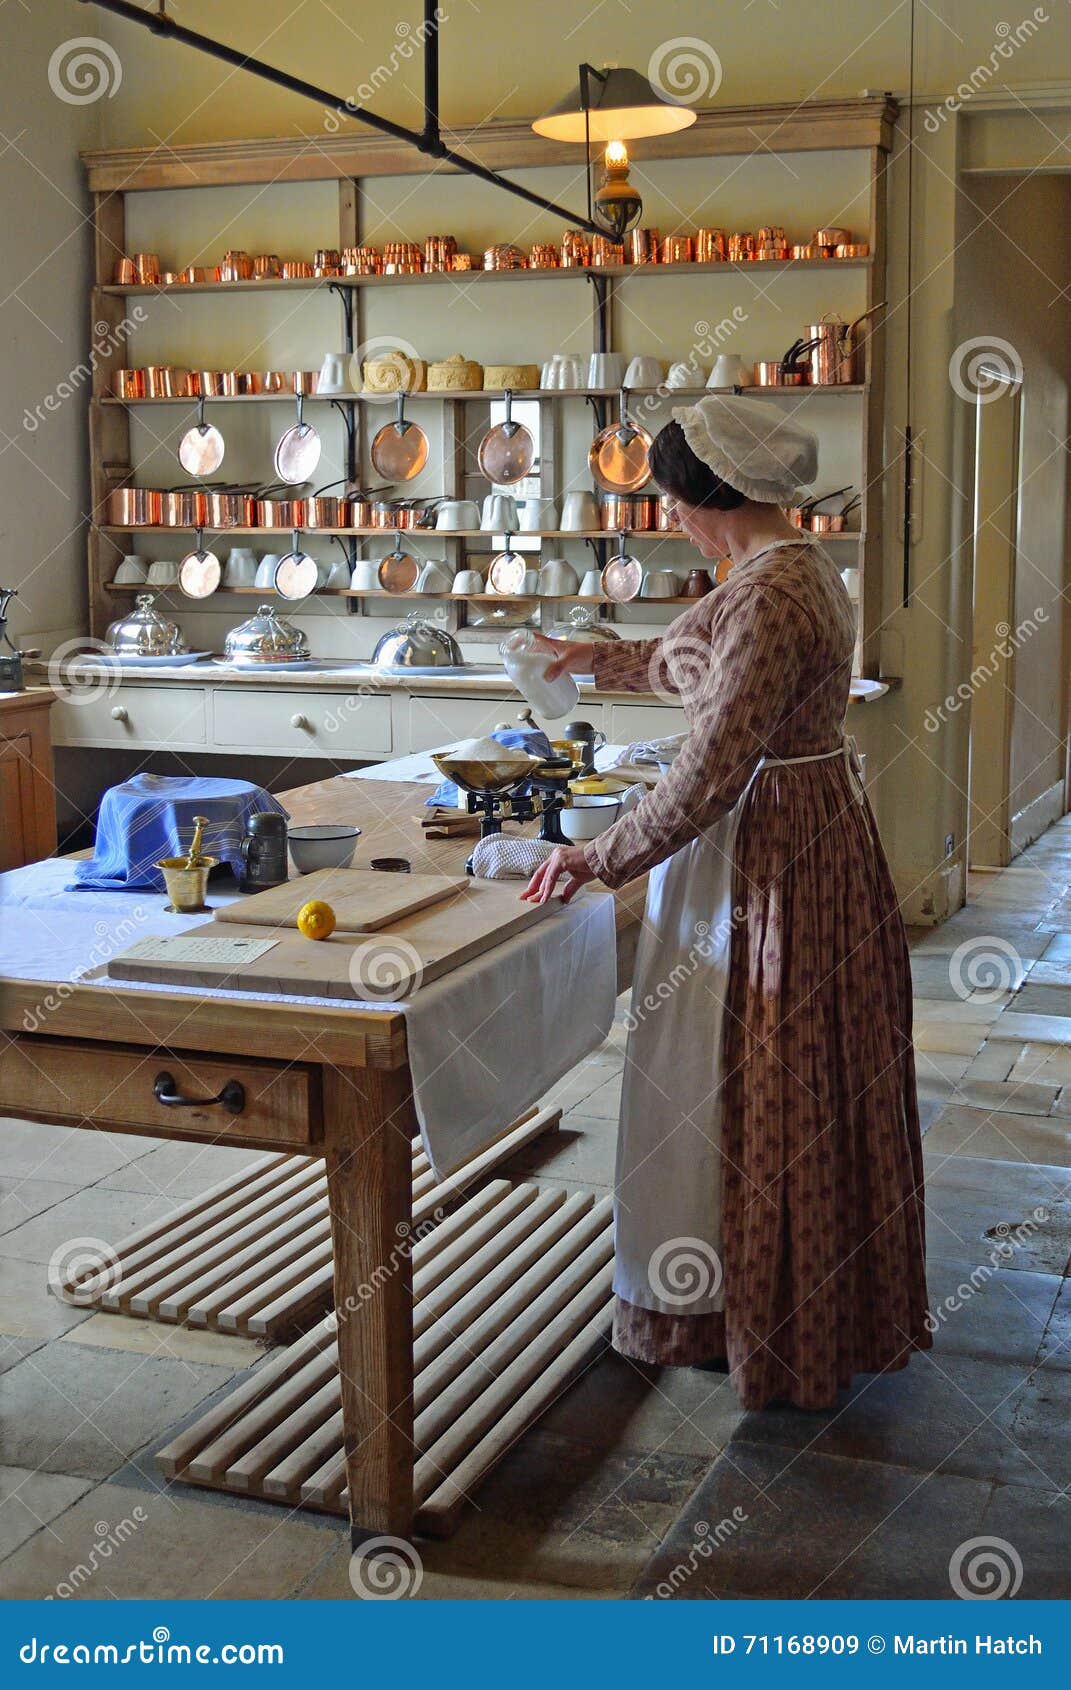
{"x": 1013, "y": 374}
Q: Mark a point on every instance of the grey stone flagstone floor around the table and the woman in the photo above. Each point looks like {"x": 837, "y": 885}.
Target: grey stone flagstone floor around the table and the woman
{"x": 638, "y": 1483}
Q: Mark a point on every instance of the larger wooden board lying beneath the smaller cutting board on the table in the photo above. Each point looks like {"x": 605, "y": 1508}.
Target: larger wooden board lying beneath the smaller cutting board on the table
{"x": 381, "y": 968}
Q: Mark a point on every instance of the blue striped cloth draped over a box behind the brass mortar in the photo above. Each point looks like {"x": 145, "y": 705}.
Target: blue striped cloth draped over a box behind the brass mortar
{"x": 151, "y": 817}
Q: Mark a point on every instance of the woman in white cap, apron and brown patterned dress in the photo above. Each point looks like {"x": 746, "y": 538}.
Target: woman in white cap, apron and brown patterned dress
{"x": 769, "y": 1177}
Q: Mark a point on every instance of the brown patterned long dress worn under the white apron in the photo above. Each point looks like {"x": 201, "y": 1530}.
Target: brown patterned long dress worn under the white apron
{"x": 820, "y": 1148}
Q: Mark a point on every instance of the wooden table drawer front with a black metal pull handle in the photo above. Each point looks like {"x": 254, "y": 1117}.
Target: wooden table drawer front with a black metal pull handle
{"x": 112, "y": 1086}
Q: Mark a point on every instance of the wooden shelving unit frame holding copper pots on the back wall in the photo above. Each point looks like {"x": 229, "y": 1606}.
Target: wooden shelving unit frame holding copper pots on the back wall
{"x": 827, "y": 126}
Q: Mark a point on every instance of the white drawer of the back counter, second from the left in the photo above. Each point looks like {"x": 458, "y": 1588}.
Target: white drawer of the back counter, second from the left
{"x": 317, "y": 724}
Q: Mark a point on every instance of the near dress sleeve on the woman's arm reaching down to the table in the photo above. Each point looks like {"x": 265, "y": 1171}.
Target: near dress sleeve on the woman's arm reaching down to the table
{"x": 737, "y": 695}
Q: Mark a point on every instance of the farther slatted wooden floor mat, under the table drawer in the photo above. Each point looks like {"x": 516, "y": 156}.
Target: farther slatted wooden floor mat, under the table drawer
{"x": 254, "y": 1255}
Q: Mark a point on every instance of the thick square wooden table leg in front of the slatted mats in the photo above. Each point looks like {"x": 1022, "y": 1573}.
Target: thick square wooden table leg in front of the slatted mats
{"x": 369, "y": 1125}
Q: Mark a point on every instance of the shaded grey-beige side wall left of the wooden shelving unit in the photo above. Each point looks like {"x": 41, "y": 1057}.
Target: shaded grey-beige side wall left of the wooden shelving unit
{"x": 45, "y": 327}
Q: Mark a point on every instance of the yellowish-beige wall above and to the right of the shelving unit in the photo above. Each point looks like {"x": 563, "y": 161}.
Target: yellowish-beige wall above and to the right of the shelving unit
{"x": 513, "y": 60}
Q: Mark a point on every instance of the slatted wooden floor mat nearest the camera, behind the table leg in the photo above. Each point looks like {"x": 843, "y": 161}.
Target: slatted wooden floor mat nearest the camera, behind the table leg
{"x": 513, "y": 1299}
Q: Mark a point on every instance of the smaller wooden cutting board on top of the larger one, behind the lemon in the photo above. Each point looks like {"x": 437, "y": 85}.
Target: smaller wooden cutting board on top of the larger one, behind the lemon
{"x": 362, "y": 900}
